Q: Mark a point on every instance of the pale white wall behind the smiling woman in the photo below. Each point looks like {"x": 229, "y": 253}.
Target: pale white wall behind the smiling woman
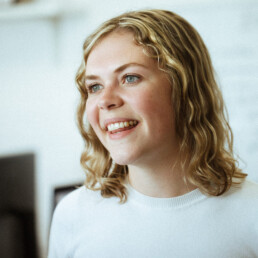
{"x": 38, "y": 96}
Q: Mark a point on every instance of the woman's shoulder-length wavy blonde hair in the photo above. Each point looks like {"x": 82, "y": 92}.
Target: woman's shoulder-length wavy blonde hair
{"x": 206, "y": 140}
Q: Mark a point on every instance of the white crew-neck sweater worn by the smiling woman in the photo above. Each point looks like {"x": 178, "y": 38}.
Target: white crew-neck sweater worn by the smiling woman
{"x": 193, "y": 225}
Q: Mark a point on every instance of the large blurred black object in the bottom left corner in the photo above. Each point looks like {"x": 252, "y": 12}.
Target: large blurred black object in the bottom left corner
{"x": 17, "y": 207}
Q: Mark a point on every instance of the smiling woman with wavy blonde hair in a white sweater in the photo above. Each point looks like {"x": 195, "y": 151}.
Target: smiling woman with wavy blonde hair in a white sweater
{"x": 158, "y": 142}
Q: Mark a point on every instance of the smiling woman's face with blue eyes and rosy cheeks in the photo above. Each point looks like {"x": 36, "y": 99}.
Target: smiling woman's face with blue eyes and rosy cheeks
{"x": 129, "y": 104}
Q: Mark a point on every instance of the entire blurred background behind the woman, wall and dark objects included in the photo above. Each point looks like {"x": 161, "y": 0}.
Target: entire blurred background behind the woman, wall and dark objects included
{"x": 40, "y": 51}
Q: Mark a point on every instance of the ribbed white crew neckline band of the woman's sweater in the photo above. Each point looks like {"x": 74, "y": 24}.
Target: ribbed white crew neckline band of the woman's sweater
{"x": 171, "y": 202}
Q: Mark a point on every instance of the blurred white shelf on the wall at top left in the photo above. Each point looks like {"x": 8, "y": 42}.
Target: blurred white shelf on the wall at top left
{"x": 40, "y": 10}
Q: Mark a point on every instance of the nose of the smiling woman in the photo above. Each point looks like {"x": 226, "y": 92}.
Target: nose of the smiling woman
{"x": 110, "y": 99}
